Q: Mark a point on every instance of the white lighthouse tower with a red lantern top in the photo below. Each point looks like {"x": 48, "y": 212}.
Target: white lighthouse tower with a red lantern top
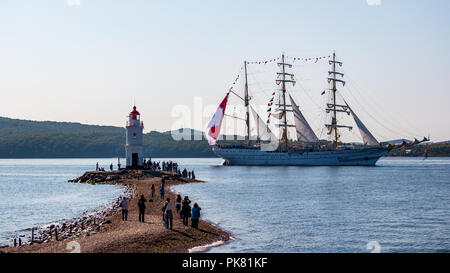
{"x": 134, "y": 148}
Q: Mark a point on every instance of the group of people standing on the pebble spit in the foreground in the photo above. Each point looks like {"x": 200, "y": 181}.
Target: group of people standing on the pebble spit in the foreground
{"x": 182, "y": 206}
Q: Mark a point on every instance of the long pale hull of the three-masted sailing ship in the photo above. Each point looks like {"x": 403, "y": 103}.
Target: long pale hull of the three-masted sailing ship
{"x": 256, "y": 157}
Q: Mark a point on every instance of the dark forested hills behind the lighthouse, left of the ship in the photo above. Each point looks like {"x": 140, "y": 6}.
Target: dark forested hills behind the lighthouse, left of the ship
{"x": 47, "y": 139}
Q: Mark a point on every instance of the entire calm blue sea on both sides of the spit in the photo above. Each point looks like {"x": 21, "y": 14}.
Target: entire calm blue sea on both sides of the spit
{"x": 401, "y": 205}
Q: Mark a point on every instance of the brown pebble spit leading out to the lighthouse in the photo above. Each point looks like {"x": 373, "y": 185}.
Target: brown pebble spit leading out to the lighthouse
{"x": 103, "y": 231}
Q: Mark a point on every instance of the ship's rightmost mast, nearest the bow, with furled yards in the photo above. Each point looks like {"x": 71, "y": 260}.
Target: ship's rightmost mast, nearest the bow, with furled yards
{"x": 334, "y": 106}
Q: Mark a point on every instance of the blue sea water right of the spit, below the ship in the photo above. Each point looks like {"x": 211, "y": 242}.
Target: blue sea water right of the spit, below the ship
{"x": 400, "y": 205}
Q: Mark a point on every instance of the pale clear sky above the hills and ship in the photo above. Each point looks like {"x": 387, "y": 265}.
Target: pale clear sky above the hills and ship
{"x": 89, "y": 61}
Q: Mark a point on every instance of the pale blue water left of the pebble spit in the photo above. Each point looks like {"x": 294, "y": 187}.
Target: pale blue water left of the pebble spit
{"x": 35, "y": 192}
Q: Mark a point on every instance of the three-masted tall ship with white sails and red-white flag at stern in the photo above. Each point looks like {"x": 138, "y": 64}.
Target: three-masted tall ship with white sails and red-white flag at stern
{"x": 270, "y": 148}
